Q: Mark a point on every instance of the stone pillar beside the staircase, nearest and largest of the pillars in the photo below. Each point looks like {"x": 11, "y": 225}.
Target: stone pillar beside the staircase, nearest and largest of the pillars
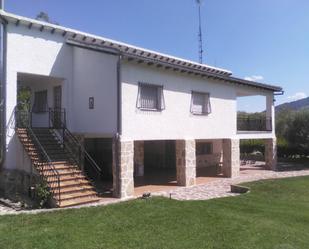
{"x": 123, "y": 181}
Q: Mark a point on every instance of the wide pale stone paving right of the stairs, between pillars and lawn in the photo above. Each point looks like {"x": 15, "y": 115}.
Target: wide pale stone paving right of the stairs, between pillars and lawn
{"x": 221, "y": 187}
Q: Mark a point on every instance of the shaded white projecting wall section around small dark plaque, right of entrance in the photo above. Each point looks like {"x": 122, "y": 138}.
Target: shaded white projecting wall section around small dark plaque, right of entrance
{"x": 95, "y": 75}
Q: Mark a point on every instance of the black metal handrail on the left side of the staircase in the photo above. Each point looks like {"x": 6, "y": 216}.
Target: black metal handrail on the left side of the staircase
{"x": 46, "y": 158}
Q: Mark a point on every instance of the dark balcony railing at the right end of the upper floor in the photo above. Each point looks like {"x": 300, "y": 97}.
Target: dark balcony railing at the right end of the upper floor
{"x": 254, "y": 124}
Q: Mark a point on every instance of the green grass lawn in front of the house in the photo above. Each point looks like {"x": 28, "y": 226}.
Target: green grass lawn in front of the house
{"x": 275, "y": 214}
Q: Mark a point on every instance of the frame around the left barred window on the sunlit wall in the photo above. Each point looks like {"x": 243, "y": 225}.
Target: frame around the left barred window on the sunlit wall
{"x": 160, "y": 104}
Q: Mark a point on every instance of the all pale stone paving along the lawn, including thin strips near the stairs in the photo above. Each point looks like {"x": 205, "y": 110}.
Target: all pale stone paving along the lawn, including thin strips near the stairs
{"x": 217, "y": 188}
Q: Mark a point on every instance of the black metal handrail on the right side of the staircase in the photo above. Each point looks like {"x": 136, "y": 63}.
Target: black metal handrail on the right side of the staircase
{"x": 73, "y": 138}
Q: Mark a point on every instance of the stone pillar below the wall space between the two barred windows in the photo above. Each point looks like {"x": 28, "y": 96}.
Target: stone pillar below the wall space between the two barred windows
{"x": 185, "y": 162}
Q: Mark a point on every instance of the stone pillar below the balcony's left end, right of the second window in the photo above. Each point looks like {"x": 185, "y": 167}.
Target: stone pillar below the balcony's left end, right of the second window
{"x": 231, "y": 158}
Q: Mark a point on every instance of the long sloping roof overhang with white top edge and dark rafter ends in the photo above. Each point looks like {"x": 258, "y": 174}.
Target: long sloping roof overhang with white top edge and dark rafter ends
{"x": 133, "y": 53}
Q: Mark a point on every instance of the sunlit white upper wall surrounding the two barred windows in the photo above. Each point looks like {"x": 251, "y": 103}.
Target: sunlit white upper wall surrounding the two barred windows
{"x": 176, "y": 121}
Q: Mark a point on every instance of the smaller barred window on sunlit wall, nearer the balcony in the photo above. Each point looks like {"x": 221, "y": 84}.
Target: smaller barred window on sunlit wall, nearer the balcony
{"x": 200, "y": 103}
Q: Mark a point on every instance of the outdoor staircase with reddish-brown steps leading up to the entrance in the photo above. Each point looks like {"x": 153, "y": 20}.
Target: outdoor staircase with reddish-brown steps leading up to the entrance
{"x": 66, "y": 181}
